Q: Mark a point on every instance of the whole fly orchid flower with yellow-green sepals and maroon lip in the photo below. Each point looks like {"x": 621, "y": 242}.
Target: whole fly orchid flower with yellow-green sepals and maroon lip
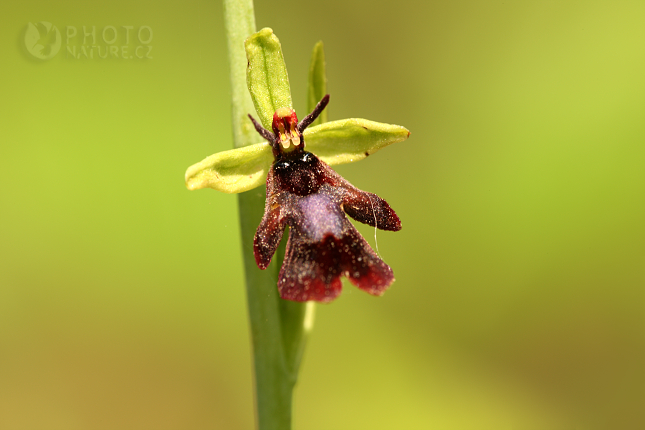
{"x": 302, "y": 191}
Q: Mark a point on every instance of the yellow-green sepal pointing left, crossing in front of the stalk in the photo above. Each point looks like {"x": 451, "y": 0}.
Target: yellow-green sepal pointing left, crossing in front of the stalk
{"x": 232, "y": 171}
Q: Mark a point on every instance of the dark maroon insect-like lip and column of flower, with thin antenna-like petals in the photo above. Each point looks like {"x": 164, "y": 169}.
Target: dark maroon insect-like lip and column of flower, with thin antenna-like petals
{"x": 307, "y": 195}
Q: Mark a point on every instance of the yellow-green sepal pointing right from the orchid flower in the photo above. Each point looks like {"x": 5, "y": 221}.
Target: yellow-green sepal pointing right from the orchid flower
{"x": 349, "y": 140}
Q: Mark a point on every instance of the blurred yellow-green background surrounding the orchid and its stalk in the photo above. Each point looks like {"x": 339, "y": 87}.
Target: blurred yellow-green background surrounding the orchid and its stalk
{"x": 520, "y": 267}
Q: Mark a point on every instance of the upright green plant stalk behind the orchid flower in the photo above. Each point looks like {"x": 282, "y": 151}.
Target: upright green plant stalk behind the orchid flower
{"x": 277, "y": 326}
